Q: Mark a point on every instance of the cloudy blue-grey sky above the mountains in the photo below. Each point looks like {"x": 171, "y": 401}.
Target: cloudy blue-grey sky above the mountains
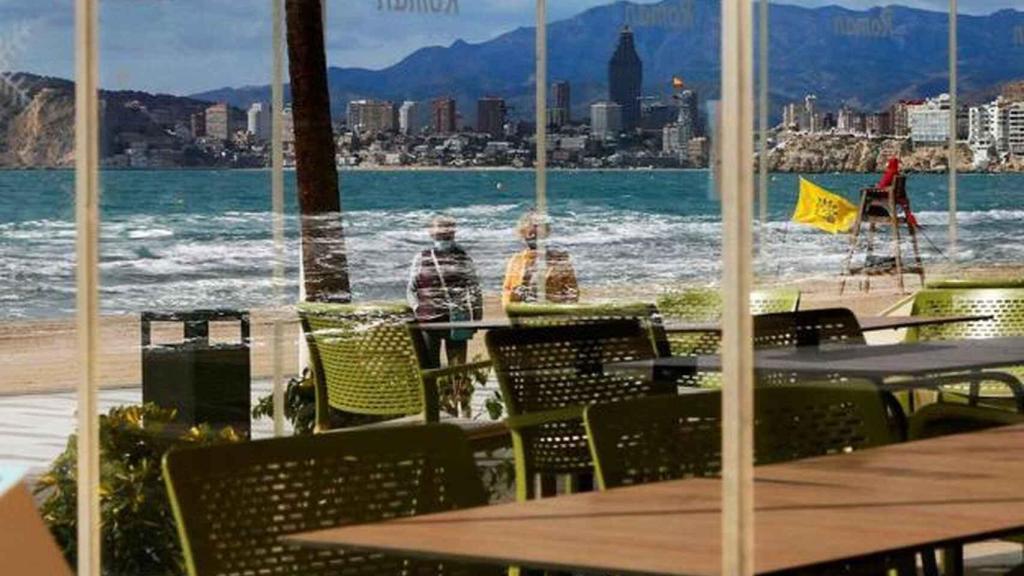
{"x": 187, "y": 47}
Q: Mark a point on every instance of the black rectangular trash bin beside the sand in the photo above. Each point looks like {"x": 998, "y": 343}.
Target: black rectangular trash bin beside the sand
{"x": 204, "y": 383}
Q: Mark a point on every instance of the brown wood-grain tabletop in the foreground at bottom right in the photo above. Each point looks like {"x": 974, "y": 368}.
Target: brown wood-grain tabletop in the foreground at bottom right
{"x": 817, "y": 512}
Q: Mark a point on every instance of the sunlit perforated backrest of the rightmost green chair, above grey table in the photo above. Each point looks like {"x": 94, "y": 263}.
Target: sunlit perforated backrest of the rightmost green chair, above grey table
{"x": 1005, "y": 305}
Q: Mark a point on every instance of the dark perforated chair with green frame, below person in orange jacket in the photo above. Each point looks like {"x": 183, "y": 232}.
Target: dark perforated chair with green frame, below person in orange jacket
{"x": 548, "y": 375}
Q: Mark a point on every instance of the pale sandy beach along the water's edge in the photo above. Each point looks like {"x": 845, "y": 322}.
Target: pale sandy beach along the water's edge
{"x": 40, "y": 356}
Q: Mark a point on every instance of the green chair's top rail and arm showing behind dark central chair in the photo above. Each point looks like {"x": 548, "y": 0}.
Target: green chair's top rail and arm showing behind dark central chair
{"x": 554, "y": 315}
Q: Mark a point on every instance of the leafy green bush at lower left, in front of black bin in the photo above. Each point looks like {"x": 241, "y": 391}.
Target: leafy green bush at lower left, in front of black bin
{"x": 139, "y": 531}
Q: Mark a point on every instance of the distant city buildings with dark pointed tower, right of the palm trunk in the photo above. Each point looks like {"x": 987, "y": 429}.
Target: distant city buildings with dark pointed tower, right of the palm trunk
{"x": 625, "y": 129}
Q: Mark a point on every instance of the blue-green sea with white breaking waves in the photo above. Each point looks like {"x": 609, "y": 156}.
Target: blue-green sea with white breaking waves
{"x": 201, "y": 239}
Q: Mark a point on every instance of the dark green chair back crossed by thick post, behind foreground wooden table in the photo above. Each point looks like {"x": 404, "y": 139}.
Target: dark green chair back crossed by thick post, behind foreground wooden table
{"x": 659, "y": 439}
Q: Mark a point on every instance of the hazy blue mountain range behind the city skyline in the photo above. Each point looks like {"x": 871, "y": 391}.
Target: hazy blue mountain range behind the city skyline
{"x": 865, "y": 59}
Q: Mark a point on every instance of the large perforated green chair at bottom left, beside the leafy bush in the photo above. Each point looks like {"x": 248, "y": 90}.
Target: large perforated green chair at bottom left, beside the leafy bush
{"x": 235, "y": 503}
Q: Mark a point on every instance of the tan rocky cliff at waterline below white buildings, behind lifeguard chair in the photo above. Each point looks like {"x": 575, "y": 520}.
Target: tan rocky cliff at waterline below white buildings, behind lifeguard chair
{"x": 846, "y": 153}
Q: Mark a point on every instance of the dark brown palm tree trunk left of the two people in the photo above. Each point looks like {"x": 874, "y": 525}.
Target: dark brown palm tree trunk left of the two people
{"x": 324, "y": 259}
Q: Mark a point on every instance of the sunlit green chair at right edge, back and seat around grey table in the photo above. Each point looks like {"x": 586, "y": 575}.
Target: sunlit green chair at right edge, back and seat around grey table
{"x": 1007, "y": 308}
